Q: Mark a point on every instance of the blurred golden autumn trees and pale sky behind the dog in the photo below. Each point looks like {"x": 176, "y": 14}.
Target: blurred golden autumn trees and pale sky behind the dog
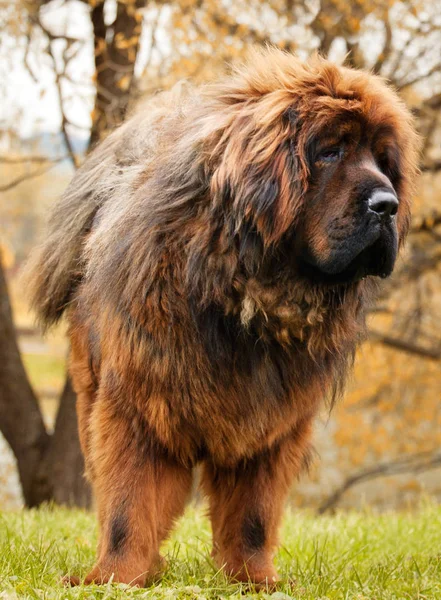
{"x": 69, "y": 72}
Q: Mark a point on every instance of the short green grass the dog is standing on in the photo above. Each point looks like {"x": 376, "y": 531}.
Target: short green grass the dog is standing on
{"x": 355, "y": 555}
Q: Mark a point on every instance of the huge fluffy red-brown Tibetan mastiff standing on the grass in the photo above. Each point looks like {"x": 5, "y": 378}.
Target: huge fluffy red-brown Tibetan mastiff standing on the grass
{"x": 214, "y": 257}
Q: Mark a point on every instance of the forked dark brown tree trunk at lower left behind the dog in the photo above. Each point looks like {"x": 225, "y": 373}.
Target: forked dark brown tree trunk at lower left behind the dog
{"x": 50, "y": 467}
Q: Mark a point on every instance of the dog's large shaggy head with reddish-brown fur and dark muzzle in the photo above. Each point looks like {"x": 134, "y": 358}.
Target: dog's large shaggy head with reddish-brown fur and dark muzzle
{"x": 316, "y": 160}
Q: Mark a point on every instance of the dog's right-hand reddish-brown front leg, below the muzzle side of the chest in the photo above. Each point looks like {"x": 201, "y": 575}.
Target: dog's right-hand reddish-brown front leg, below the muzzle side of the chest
{"x": 246, "y": 503}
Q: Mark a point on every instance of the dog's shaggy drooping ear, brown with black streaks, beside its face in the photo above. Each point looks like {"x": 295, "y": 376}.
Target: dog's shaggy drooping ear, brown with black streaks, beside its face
{"x": 263, "y": 183}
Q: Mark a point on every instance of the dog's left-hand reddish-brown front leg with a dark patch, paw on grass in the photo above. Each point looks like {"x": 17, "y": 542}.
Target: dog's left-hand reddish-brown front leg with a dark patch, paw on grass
{"x": 140, "y": 490}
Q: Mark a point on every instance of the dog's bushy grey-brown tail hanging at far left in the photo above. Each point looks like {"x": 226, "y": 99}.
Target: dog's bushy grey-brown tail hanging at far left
{"x": 56, "y": 268}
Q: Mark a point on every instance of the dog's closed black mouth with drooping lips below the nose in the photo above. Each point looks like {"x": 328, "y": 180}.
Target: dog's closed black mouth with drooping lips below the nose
{"x": 376, "y": 259}
